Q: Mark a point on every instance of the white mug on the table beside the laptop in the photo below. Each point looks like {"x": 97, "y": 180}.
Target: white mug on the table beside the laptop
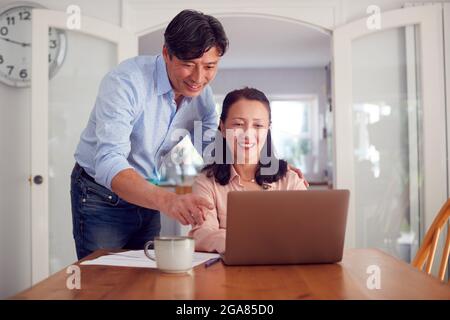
{"x": 172, "y": 254}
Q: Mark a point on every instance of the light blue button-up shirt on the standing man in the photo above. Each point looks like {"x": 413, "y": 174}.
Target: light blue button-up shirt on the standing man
{"x": 135, "y": 121}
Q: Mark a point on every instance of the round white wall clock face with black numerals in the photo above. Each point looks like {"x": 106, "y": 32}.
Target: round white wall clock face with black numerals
{"x": 15, "y": 46}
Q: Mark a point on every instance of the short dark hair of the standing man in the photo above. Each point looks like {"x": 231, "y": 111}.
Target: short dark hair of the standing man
{"x": 191, "y": 33}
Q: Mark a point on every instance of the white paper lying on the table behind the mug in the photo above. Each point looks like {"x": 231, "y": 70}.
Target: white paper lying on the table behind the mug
{"x": 137, "y": 258}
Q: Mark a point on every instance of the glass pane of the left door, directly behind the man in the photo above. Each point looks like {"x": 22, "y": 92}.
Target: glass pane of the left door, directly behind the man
{"x": 72, "y": 92}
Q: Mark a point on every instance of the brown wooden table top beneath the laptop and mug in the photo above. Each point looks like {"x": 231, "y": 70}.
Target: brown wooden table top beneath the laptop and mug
{"x": 346, "y": 280}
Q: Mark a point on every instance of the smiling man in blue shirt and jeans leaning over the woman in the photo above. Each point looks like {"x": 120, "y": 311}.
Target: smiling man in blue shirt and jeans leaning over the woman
{"x": 139, "y": 106}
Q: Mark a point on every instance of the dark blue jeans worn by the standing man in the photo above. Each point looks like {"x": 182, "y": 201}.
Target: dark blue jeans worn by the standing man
{"x": 103, "y": 220}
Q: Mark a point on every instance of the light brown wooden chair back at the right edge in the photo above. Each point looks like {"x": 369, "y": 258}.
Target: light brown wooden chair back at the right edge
{"x": 427, "y": 251}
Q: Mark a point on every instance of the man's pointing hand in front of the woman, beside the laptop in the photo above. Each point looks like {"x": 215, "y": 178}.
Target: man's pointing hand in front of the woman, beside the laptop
{"x": 188, "y": 209}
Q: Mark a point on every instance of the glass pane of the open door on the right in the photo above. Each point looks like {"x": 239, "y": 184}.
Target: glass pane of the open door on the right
{"x": 386, "y": 146}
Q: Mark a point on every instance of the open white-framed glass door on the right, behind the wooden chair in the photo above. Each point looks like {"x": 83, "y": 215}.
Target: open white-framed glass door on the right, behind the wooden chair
{"x": 390, "y": 142}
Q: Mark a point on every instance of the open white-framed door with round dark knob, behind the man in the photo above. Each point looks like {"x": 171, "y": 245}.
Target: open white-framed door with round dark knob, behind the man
{"x": 60, "y": 109}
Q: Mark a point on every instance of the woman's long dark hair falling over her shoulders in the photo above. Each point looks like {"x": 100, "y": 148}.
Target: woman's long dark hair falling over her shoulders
{"x": 222, "y": 170}
